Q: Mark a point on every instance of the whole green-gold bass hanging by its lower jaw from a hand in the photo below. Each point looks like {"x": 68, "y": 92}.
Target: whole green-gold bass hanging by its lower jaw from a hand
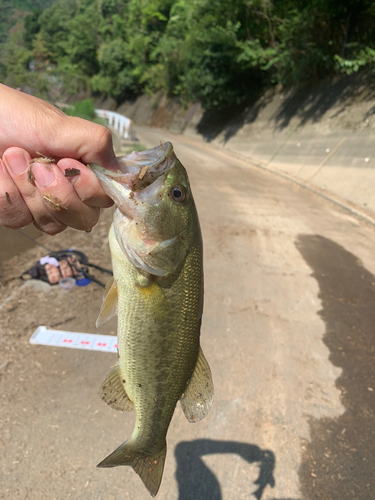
{"x": 157, "y": 293}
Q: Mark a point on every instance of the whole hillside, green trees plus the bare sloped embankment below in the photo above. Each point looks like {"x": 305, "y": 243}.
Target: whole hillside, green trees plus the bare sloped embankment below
{"x": 287, "y": 84}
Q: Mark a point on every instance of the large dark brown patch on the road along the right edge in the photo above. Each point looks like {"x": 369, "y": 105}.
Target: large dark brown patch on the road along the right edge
{"x": 338, "y": 462}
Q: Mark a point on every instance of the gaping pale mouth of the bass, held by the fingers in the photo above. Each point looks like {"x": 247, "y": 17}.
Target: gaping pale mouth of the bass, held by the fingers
{"x": 140, "y": 179}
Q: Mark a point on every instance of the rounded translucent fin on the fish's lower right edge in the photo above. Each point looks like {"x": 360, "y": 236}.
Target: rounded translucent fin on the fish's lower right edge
{"x": 198, "y": 396}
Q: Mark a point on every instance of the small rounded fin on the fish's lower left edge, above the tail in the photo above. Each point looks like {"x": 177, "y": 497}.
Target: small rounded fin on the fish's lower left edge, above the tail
{"x": 112, "y": 391}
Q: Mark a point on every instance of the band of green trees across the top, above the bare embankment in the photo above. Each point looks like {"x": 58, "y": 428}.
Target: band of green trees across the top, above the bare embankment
{"x": 215, "y": 51}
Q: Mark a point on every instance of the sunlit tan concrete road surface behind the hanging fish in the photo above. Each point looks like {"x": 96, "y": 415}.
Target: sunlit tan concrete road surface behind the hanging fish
{"x": 288, "y": 331}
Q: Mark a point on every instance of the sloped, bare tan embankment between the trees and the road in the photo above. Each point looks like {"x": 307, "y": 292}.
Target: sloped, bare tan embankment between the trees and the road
{"x": 321, "y": 135}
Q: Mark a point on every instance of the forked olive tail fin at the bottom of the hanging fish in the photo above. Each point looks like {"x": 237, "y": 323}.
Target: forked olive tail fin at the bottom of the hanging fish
{"x": 148, "y": 467}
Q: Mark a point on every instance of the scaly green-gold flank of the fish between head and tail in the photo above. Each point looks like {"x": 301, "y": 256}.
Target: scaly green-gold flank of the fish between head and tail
{"x": 172, "y": 360}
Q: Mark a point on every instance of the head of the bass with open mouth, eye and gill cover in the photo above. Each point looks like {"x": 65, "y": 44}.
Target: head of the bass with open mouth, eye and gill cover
{"x": 155, "y": 218}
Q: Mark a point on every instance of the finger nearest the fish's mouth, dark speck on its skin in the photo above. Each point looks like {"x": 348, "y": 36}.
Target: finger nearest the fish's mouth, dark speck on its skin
{"x": 85, "y": 183}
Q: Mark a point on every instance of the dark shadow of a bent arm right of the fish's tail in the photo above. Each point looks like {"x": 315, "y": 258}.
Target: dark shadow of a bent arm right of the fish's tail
{"x": 197, "y": 482}
